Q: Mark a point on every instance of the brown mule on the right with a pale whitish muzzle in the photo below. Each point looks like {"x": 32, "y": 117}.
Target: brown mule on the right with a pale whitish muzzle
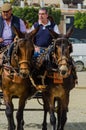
{"x": 57, "y": 74}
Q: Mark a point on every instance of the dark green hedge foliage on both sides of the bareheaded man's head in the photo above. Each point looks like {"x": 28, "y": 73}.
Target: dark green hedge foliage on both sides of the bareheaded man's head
{"x": 31, "y": 14}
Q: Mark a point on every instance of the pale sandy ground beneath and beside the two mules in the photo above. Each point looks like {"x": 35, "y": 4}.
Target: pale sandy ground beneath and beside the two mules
{"x": 76, "y": 115}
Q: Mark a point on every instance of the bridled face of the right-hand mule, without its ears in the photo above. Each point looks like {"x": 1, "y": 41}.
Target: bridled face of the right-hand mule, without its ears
{"x": 62, "y": 60}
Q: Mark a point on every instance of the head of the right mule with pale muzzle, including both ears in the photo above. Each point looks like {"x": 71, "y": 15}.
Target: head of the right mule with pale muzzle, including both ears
{"x": 62, "y": 50}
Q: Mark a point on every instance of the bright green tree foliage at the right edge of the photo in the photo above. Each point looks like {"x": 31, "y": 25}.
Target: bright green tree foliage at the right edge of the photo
{"x": 80, "y": 20}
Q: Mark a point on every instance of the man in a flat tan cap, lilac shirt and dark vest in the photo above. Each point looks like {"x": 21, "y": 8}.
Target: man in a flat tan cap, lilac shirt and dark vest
{"x": 7, "y": 20}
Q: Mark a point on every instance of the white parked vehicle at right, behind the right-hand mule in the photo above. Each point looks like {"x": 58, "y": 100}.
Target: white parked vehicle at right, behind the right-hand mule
{"x": 79, "y": 53}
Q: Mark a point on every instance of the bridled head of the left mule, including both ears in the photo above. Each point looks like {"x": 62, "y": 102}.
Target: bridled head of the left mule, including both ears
{"x": 23, "y": 51}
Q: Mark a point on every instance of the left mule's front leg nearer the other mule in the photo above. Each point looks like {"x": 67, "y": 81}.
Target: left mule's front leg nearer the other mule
{"x": 19, "y": 115}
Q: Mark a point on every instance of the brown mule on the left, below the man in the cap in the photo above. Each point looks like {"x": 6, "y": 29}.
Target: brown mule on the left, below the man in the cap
{"x": 16, "y": 79}
